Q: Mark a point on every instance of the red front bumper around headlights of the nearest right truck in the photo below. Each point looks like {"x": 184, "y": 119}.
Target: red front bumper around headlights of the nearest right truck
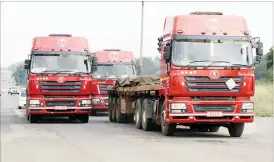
{"x": 213, "y": 116}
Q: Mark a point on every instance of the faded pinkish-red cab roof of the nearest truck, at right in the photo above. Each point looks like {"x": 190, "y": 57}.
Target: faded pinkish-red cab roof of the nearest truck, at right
{"x": 206, "y": 24}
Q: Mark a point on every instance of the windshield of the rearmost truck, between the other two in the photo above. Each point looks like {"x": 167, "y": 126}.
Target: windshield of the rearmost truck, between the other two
{"x": 114, "y": 71}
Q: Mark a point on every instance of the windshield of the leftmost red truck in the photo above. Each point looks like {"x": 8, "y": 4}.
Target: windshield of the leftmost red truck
{"x": 59, "y": 63}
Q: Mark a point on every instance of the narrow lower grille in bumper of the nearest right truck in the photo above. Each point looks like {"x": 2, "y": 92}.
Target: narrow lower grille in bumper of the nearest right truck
{"x": 211, "y": 107}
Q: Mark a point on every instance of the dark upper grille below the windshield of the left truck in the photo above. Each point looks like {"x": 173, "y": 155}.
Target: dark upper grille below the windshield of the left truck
{"x": 53, "y": 86}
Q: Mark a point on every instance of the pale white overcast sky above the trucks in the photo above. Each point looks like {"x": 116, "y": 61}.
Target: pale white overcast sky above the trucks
{"x": 112, "y": 24}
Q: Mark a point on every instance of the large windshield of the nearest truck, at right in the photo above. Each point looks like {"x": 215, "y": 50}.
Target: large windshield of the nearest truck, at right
{"x": 227, "y": 52}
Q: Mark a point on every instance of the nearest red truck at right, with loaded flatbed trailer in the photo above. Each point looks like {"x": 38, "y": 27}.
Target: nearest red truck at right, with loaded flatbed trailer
{"x": 207, "y": 78}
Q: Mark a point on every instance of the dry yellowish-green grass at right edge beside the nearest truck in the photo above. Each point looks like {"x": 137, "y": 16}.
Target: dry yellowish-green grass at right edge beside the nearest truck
{"x": 263, "y": 99}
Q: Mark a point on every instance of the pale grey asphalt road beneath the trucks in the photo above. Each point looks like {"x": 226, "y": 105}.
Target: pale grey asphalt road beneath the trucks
{"x": 102, "y": 141}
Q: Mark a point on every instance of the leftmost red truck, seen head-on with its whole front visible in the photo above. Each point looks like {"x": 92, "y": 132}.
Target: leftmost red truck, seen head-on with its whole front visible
{"x": 59, "y": 78}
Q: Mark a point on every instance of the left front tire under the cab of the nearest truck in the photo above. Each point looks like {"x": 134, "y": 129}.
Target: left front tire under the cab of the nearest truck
{"x": 168, "y": 129}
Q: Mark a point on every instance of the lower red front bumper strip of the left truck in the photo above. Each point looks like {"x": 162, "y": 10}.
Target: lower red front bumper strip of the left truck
{"x": 58, "y": 110}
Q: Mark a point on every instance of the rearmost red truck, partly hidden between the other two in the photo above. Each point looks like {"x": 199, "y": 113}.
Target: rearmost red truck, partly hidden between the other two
{"x": 111, "y": 64}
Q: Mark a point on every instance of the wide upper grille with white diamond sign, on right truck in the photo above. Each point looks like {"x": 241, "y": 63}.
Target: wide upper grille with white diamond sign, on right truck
{"x": 205, "y": 84}
